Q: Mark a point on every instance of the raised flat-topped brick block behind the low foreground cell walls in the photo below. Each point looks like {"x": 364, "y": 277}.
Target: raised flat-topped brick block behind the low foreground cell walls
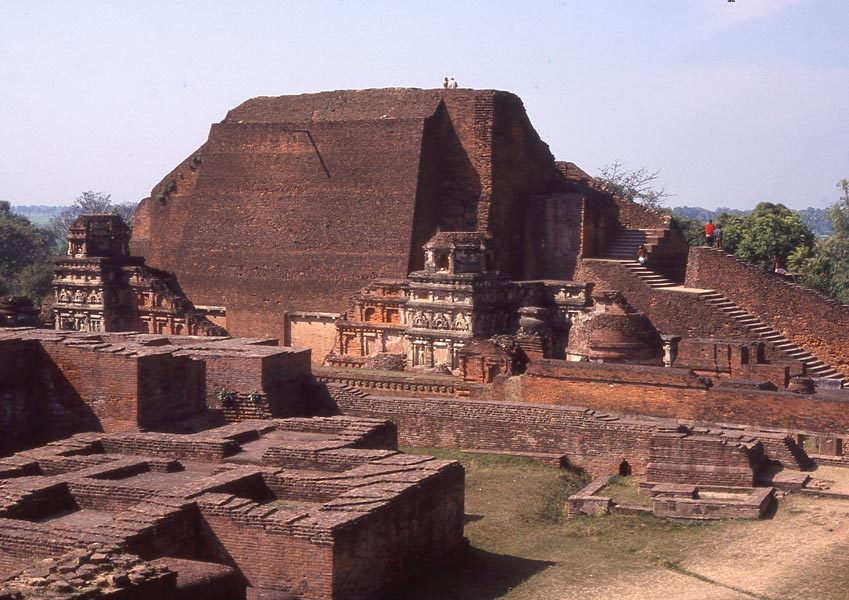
{"x": 65, "y": 382}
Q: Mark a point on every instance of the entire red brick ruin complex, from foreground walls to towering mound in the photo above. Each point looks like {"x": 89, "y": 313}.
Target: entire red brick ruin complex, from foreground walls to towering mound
{"x": 436, "y": 279}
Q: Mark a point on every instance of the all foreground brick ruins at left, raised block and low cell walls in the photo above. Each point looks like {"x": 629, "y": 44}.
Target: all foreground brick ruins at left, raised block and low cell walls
{"x": 159, "y": 498}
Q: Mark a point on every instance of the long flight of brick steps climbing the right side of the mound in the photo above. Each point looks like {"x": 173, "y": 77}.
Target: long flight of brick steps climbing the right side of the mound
{"x": 624, "y": 250}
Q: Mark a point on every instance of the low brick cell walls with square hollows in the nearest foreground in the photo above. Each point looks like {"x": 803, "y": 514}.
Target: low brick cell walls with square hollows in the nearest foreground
{"x": 326, "y": 509}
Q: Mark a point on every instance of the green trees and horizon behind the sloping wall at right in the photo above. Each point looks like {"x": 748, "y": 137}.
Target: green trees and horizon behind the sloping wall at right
{"x": 774, "y": 236}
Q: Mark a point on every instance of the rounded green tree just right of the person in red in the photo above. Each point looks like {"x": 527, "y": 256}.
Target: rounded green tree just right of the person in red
{"x": 771, "y": 231}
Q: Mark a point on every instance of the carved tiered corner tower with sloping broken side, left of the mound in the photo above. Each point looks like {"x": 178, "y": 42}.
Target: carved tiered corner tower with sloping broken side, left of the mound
{"x": 98, "y": 286}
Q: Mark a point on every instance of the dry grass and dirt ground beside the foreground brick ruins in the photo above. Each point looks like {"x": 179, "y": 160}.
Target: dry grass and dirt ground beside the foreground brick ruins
{"x": 521, "y": 549}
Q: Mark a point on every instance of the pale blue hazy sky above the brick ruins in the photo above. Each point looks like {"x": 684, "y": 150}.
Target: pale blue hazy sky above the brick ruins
{"x": 736, "y": 103}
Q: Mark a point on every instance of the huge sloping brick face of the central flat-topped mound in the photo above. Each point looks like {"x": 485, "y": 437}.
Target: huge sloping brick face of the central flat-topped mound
{"x": 316, "y": 172}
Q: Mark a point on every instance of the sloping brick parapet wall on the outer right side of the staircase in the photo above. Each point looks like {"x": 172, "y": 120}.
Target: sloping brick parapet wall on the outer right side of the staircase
{"x": 810, "y": 319}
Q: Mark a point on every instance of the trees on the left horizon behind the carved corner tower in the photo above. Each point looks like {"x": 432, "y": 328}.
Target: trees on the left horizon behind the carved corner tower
{"x": 27, "y": 247}
